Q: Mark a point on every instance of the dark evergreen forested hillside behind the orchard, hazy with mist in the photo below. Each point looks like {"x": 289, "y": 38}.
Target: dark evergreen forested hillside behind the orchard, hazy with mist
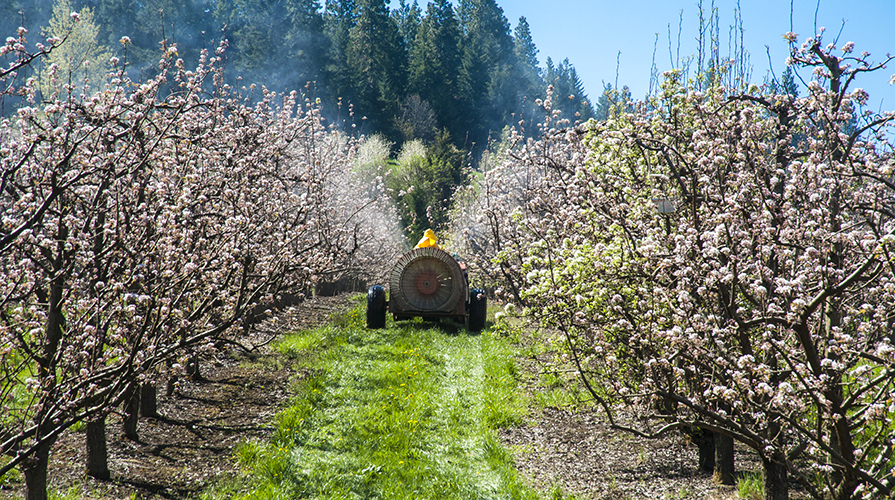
{"x": 408, "y": 72}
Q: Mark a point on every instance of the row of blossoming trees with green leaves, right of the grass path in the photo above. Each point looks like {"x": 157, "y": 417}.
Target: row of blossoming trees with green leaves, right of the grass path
{"x": 722, "y": 260}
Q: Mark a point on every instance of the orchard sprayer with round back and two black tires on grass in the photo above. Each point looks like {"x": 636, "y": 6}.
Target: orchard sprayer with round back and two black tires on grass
{"x": 429, "y": 283}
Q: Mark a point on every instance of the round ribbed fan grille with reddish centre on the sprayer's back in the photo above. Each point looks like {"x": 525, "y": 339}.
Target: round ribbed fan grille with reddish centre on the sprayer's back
{"x": 427, "y": 279}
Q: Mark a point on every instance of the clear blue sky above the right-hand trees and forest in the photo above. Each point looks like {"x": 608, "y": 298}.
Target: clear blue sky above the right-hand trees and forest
{"x": 591, "y": 34}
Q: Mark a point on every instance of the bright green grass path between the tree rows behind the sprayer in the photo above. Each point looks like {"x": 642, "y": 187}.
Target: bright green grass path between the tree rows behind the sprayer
{"x": 409, "y": 411}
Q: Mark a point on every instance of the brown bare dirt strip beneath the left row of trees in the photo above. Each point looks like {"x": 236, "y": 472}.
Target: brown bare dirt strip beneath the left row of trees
{"x": 190, "y": 446}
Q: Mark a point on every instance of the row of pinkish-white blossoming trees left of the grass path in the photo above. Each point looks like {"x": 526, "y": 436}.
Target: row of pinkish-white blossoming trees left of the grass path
{"x": 142, "y": 221}
